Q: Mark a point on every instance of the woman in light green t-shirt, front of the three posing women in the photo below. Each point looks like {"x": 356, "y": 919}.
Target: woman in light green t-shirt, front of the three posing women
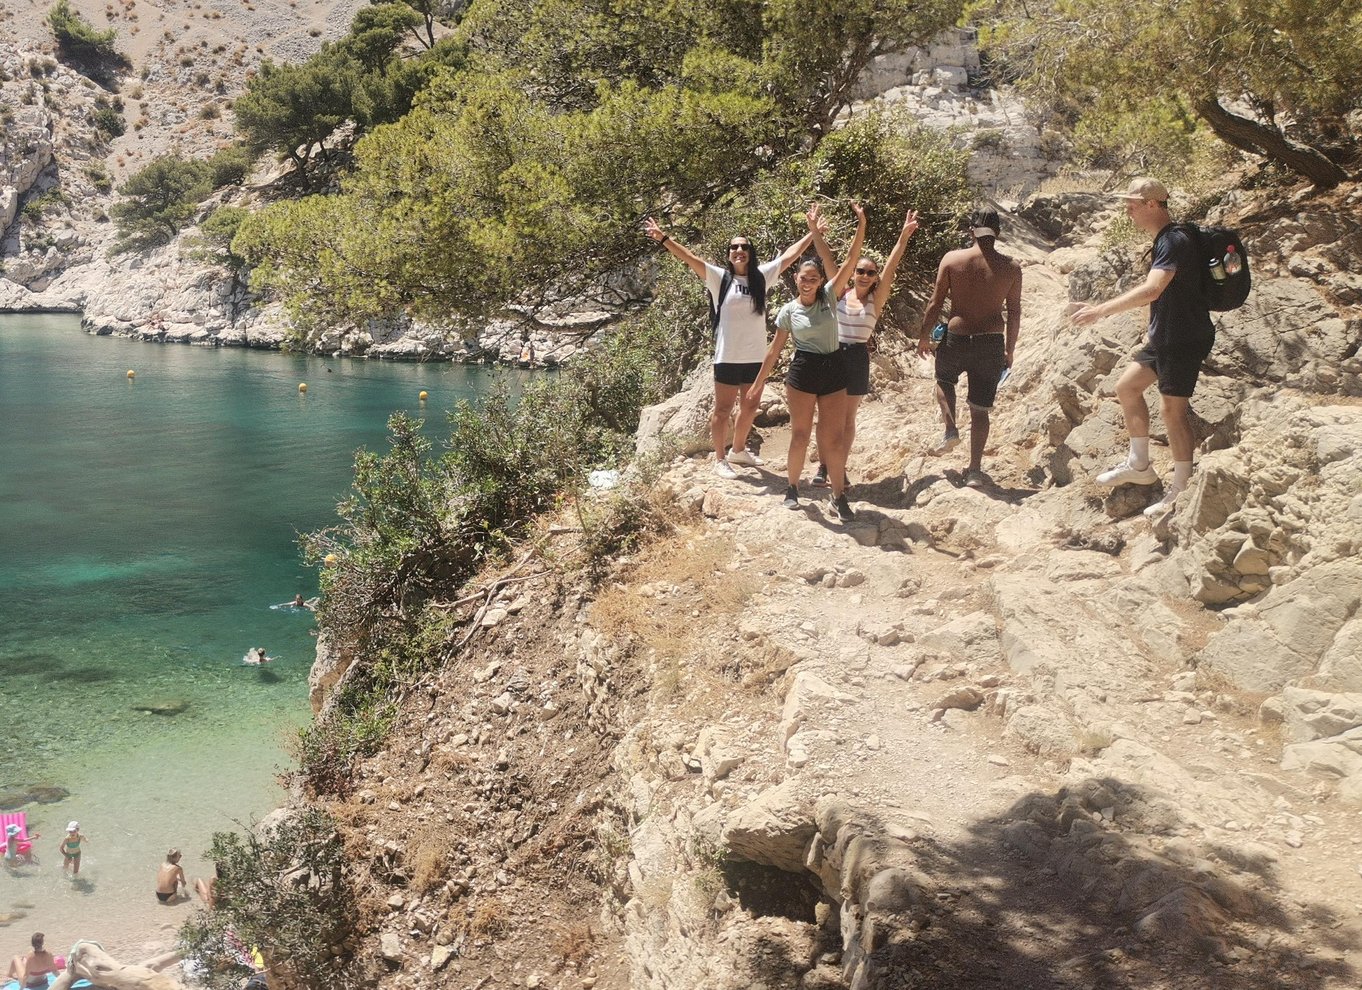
{"x": 818, "y": 372}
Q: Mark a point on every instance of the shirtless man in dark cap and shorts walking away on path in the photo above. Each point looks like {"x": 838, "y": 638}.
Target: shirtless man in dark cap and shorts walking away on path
{"x": 980, "y": 283}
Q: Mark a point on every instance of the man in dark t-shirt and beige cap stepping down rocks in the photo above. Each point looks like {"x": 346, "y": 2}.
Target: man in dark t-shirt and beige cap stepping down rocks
{"x": 1179, "y": 341}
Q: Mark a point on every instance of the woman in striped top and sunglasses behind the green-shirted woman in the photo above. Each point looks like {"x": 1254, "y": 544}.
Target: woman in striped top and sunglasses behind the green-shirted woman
{"x": 860, "y": 307}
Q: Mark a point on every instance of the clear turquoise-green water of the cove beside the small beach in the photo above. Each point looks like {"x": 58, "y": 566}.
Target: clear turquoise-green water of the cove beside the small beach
{"x": 146, "y": 528}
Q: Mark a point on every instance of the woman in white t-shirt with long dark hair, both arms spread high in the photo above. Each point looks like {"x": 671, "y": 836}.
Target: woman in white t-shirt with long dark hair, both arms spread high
{"x": 739, "y": 291}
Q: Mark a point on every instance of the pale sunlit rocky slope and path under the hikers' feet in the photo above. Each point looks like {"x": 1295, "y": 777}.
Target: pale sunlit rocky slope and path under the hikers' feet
{"x": 1013, "y": 736}
